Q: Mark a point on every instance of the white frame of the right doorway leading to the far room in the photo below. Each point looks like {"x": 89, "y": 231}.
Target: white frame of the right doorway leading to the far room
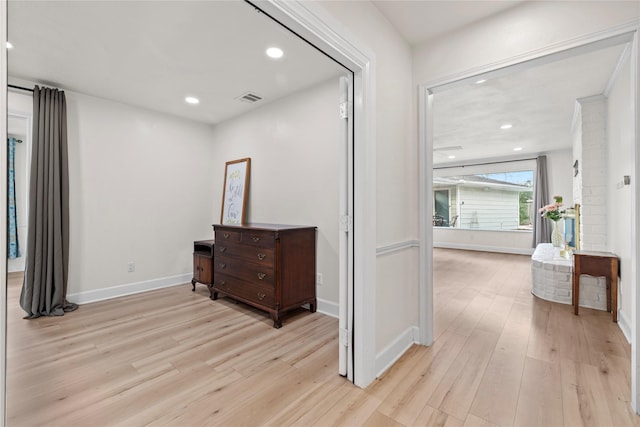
{"x": 625, "y": 33}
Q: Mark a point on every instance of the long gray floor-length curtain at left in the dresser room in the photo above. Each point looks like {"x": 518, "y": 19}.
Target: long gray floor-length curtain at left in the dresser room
{"x": 44, "y": 289}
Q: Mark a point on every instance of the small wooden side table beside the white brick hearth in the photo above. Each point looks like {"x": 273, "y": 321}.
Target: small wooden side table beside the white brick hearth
{"x": 597, "y": 264}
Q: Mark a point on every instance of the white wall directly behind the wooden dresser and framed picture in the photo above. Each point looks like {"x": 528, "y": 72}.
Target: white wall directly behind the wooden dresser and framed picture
{"x": 293, "y": 144}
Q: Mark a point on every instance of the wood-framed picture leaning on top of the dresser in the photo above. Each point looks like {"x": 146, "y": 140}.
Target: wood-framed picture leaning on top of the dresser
{"x": 236, "y": 191}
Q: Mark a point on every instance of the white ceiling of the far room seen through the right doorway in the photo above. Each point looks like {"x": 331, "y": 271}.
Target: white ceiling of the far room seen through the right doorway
{"x": 538, "y": 102}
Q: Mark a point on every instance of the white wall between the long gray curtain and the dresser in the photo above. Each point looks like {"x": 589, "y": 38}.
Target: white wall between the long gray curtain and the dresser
{"x": 139, "y": 192}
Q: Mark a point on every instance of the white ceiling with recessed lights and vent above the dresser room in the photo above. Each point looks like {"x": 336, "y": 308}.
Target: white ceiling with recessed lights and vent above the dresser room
{"x": 153, "y": 54}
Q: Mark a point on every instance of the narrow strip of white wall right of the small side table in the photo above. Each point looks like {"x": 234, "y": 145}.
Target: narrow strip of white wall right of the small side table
{"x": 620, "y": 157}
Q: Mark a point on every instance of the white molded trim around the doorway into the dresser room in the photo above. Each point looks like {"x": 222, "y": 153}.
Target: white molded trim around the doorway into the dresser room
{"x": 318, "y": 27}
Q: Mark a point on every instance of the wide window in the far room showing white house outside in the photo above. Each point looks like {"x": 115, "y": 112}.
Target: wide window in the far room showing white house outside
{"x": 486, "y": 200}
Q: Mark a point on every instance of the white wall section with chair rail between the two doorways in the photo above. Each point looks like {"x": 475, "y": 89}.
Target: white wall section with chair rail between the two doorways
{"x": 396, "y": 169}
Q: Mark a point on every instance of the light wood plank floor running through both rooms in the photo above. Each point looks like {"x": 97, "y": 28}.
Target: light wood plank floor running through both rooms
{"x": 174, "y": 357}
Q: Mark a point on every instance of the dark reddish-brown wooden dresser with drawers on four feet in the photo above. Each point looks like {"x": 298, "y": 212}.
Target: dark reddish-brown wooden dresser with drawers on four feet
{"x": 271, "y": 267}
